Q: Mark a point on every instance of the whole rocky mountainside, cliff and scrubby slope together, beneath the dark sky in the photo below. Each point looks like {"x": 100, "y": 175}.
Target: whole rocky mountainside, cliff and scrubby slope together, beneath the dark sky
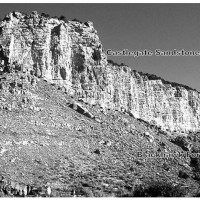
{"x": 75, "y": 123}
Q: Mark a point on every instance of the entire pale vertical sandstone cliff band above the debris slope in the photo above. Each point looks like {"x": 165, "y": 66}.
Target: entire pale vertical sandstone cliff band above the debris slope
{"x": 71, "y": 54}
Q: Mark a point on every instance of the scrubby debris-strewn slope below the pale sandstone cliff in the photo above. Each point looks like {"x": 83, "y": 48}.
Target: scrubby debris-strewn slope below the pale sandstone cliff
{"x": 49, "y": 137}
